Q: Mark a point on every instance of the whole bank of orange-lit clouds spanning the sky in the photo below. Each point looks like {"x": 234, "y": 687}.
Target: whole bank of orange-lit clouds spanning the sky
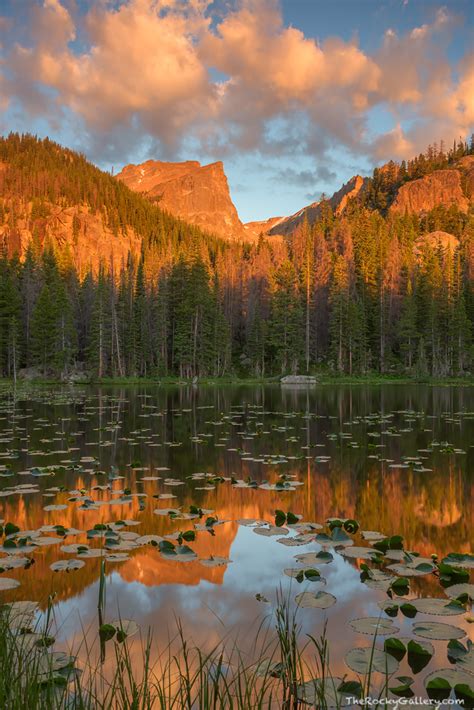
{"x": 171, "y": 72}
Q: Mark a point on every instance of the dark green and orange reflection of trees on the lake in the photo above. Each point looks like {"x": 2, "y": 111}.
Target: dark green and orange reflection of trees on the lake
{"x": 432, "y": 509}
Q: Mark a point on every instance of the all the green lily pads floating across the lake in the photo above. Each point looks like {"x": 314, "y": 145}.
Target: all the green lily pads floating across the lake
{"x": 383, "y": 562}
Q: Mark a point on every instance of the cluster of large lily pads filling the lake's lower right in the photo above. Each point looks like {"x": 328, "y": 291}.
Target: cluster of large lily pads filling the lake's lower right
{"x": 387, "y": 567}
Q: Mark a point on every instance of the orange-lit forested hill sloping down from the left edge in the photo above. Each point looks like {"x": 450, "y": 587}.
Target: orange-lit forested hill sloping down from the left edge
{"x": 52, "y": 196}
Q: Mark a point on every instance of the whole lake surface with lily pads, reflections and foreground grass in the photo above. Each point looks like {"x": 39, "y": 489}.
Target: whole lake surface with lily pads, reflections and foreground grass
{"x": 248, "y": 484}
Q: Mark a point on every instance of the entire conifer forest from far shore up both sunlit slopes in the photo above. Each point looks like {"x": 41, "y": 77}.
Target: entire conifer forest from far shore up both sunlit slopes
{"x": 367, "y": 290}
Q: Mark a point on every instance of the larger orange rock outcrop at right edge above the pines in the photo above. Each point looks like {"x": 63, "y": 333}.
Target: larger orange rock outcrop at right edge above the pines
{"x": 443, "y": 187}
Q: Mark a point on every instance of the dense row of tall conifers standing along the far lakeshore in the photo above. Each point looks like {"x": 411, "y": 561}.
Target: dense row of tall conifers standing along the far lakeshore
{"x": 353, "y": 295}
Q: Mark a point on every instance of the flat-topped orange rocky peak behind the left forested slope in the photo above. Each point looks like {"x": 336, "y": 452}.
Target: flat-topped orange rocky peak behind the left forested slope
{"x": 196, "y": 193}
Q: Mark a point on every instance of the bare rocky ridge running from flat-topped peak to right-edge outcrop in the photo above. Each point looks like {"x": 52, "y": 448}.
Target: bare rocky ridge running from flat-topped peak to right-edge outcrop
{"x": 200, "y": 195}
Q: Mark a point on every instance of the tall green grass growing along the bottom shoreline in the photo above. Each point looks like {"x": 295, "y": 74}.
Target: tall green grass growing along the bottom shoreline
{"x": 122, "y": 669}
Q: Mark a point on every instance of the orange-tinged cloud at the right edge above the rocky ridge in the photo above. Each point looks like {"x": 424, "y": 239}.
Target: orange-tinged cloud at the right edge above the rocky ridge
{"x": 420, "y": 83}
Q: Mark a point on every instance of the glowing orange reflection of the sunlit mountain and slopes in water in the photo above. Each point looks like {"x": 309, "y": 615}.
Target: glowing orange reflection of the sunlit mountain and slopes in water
{"x": 398, "y": 502}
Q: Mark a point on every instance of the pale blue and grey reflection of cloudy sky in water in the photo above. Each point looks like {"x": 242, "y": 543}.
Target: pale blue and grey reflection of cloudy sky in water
{"x": 257, "y": 567}
